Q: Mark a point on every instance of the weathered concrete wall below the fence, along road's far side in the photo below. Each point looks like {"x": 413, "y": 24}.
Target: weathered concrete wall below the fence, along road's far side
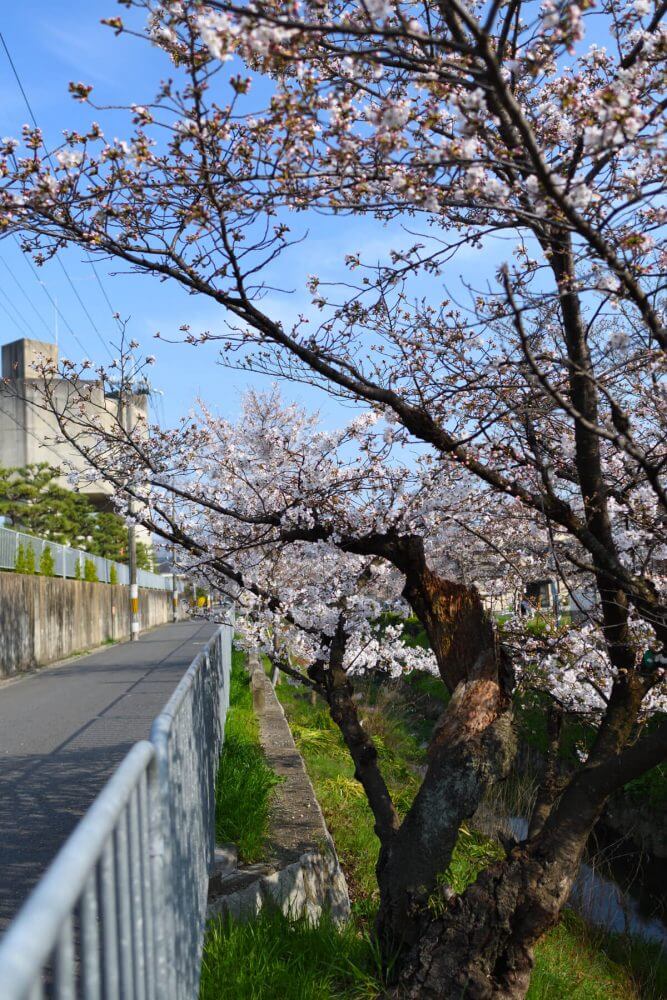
{"x": 44, "y": 619}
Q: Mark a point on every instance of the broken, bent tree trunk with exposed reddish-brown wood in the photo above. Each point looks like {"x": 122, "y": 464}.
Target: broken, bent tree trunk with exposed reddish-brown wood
{"x": 473, "y": 747}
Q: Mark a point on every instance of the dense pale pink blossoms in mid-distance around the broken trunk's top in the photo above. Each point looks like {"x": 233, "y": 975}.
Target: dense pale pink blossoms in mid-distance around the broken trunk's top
{"x": 273, "y": 498}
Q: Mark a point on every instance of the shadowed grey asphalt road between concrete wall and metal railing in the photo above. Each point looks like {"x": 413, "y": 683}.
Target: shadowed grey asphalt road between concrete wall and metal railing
{"x": 64, "y": 729}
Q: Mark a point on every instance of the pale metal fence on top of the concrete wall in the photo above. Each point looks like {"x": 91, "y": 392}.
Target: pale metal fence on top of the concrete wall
{"x": 66, "y": 560}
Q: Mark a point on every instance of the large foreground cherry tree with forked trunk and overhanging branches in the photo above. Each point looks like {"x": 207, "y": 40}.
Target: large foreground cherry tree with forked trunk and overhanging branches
{"x": 541, "y": 392}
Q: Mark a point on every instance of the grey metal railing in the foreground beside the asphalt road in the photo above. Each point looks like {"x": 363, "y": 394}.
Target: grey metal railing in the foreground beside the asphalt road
{"x": 120, "y": 913}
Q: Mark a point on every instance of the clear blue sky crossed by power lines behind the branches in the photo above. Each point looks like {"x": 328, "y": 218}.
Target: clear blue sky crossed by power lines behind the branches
{"x": 52, "y": 44}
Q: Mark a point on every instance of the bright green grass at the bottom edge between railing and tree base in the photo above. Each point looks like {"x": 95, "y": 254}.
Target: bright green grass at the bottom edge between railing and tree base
{"x": 272, "y": 957}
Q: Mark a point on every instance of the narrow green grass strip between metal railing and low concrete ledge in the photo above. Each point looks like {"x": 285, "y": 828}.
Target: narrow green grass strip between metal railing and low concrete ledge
{"x": 245, "y": 781}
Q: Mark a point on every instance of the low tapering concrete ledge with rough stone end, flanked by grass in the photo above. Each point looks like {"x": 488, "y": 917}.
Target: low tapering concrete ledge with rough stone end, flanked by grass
{"x": 301, "y": 873}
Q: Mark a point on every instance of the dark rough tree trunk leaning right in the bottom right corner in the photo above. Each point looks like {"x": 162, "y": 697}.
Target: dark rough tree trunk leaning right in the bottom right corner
{"x": 481, "y": 946}
